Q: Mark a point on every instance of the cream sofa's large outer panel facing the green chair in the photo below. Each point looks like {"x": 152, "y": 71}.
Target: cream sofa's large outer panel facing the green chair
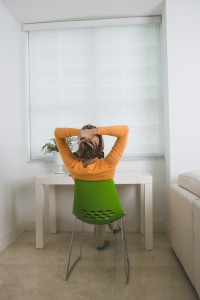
{"x": 181, "y": 226}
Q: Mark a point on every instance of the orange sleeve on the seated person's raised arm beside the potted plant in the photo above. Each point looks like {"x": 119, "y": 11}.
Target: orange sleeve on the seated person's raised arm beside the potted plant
{"x": 60, "y": 136}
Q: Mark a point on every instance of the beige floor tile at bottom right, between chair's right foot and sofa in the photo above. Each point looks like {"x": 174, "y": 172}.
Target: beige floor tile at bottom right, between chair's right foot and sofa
{"x": 155, "y": 283}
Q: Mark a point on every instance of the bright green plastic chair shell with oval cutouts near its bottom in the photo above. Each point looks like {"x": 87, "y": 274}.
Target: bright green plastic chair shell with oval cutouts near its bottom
{"x": 97, "y": 202}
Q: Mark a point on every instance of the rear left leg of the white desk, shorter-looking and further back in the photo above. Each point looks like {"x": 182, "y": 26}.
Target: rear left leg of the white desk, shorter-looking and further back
{"x": 52, "y": 209}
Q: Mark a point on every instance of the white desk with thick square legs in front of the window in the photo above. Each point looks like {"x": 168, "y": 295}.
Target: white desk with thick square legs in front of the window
{"x": 51, "y": 179}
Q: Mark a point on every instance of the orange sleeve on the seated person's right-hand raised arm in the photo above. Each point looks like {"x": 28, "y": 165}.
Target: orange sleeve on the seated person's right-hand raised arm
{"x": 121, "y": 132}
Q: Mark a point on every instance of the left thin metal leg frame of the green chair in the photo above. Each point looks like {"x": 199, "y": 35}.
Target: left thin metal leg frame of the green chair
{"x": 69, "y": 269}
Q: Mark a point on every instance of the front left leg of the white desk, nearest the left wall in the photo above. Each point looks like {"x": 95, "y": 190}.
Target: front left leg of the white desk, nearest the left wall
{"x": 39, "y": 201}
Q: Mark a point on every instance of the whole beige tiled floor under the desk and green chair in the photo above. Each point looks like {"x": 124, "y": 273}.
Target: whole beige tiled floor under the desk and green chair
{"x": 29, "y": 273}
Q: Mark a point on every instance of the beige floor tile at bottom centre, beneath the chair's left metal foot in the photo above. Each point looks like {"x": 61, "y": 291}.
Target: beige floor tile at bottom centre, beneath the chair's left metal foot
{"x": 83, "y": 284}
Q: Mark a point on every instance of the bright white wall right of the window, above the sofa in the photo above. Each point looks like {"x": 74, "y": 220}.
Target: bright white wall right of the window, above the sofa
{"x": 183, "y": 48}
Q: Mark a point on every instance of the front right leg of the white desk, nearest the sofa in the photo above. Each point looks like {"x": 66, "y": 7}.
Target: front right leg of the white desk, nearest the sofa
{"x": 148, "y": 217}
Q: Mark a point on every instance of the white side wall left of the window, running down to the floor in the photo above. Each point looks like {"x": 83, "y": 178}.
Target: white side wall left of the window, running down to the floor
{"x": 11, "y": 181}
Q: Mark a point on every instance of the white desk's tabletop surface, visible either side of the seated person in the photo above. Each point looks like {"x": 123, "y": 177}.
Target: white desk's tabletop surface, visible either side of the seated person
{"x": 121, "y": 177}
